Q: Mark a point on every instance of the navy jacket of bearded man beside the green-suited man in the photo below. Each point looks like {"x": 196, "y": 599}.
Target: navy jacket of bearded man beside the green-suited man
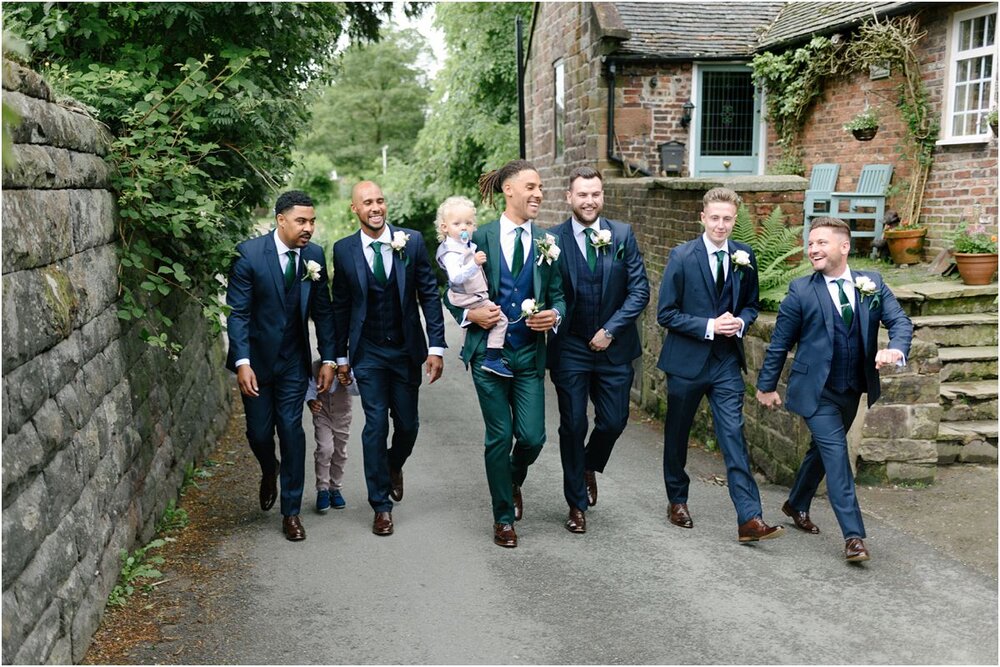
{"x": 624, "y": 290}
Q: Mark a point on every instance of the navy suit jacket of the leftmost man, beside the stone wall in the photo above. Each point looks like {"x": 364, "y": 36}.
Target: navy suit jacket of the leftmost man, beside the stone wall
{"x": 256, "y": 294}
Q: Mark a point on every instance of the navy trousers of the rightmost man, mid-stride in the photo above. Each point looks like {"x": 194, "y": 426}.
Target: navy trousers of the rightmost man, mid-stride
{"x": 828, "y": 455}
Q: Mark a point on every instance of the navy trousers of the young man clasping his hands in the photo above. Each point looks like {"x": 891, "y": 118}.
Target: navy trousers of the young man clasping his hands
{"x": 721, "y": 381}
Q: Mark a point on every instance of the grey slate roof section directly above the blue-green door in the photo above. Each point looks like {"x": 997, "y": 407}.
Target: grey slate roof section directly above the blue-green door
{"x": 685, "y": 30}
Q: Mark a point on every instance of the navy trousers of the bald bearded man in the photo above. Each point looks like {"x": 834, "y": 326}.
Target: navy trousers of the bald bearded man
{"x": 388, "y": 383}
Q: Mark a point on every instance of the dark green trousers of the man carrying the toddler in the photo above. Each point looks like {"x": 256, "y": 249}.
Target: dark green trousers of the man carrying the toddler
{"x": 513, "y": 414}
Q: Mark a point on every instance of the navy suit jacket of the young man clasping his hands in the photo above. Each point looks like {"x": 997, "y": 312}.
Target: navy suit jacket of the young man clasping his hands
{"x": 687, "y": 301}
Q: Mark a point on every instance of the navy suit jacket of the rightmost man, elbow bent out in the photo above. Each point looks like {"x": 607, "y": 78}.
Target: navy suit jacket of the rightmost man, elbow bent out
{"x": 805, "y": 319}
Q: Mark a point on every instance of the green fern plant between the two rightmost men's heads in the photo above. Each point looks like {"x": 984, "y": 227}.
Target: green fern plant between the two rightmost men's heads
{"x": 773, "y": 243}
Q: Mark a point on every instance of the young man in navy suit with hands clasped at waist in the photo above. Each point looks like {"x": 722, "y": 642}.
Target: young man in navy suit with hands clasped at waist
{"x": 708, "y": 298}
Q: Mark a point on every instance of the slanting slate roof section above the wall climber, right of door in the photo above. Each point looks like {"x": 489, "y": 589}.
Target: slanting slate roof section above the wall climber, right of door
{"x": 798, "y": 21}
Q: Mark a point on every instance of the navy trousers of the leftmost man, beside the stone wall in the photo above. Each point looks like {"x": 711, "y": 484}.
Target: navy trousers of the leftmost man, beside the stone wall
{"x": 278, "y": 408}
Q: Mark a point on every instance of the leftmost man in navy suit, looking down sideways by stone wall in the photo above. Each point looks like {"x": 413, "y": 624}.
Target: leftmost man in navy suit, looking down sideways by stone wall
{"x": 277, "y": 282}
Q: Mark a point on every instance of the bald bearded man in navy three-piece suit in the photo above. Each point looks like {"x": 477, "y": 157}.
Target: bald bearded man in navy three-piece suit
{"x": 380, "y": 274}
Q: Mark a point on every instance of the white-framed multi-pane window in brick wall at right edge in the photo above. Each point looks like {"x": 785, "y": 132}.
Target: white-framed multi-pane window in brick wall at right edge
{"x": 971, "y": 73}
